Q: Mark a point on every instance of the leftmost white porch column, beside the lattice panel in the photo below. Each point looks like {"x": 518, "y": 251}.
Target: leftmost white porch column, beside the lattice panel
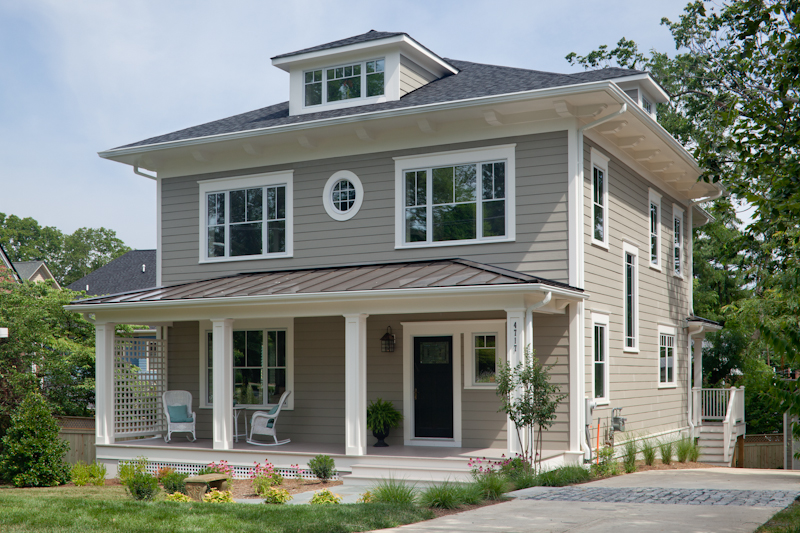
{"x": 104, "y": 382}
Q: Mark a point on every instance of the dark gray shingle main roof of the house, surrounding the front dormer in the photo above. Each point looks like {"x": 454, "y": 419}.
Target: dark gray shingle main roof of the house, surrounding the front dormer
{"x": 473, "y": 81}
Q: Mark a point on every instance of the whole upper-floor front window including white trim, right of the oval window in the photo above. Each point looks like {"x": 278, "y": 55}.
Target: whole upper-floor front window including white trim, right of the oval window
{"x": 460, "y": 197}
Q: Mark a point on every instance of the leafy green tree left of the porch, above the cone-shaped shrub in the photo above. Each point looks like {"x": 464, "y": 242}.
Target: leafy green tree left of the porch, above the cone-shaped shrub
{"x": 49, "y": 348}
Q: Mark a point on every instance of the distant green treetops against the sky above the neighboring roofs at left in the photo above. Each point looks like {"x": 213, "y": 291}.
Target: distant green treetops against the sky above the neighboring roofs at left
{"x": 69, "y": 256}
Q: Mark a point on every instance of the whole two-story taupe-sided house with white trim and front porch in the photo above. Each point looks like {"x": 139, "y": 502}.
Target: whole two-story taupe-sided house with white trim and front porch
{"x": 473, "y": 209}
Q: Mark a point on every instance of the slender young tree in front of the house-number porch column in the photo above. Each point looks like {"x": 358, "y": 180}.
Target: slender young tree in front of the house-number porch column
{"x": 529, "y": 400}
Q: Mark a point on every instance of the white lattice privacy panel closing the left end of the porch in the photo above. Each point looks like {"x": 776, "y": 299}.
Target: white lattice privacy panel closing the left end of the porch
{"x": 140, "y": 377}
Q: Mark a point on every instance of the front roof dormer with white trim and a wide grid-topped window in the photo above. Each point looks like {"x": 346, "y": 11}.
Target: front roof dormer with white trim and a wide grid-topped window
{"x": 371, "y": 68}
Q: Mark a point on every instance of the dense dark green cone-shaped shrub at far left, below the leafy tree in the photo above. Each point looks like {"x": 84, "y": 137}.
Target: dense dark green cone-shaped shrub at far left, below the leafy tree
{"x": 32, "y": 454}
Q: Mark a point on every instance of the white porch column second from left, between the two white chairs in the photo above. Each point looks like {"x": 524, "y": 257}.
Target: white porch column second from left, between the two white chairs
{"x": 222, "y": 361}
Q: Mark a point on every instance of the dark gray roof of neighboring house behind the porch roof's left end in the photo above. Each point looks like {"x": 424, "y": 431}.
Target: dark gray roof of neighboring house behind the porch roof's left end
{"x": 132, "y": 271}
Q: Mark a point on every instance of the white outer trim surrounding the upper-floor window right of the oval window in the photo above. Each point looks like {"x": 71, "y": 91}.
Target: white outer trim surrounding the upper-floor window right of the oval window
{"x": 456, "y": 157}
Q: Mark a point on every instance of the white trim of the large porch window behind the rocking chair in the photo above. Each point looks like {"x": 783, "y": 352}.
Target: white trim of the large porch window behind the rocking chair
{"x": 286, "y": 324}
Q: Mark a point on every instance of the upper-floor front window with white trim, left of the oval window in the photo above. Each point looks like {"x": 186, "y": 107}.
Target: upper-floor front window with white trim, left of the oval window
{"x": 246, "y": 217}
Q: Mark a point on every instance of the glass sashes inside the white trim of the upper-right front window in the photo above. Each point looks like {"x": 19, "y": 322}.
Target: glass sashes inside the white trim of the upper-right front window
{"x": 454, "y": 203}
